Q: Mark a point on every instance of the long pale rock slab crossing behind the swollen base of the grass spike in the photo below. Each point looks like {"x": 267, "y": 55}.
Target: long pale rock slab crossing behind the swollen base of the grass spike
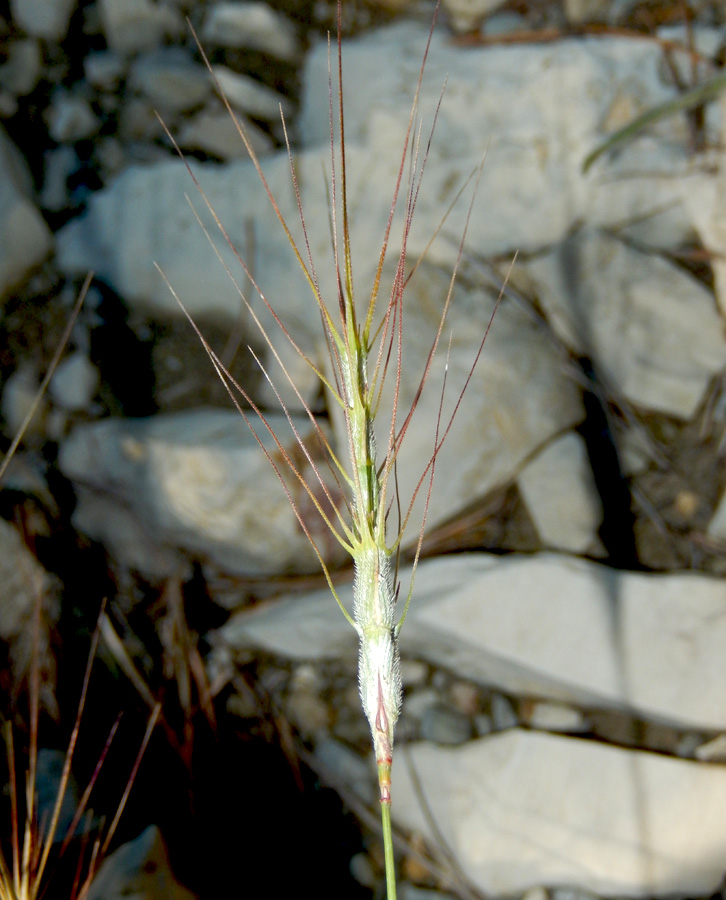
{"x": 545, "y": 626}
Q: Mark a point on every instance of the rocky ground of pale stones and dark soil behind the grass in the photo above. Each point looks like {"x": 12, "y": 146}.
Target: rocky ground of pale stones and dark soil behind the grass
{"x": 564, "y": 722}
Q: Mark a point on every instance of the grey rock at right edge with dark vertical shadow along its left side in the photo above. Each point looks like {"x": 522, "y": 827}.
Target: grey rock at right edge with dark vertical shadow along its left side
{"x": 653, "y": 332}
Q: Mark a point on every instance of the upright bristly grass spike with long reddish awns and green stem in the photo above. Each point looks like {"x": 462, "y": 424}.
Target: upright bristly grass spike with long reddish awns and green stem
{"x": 365, "y": 342}
